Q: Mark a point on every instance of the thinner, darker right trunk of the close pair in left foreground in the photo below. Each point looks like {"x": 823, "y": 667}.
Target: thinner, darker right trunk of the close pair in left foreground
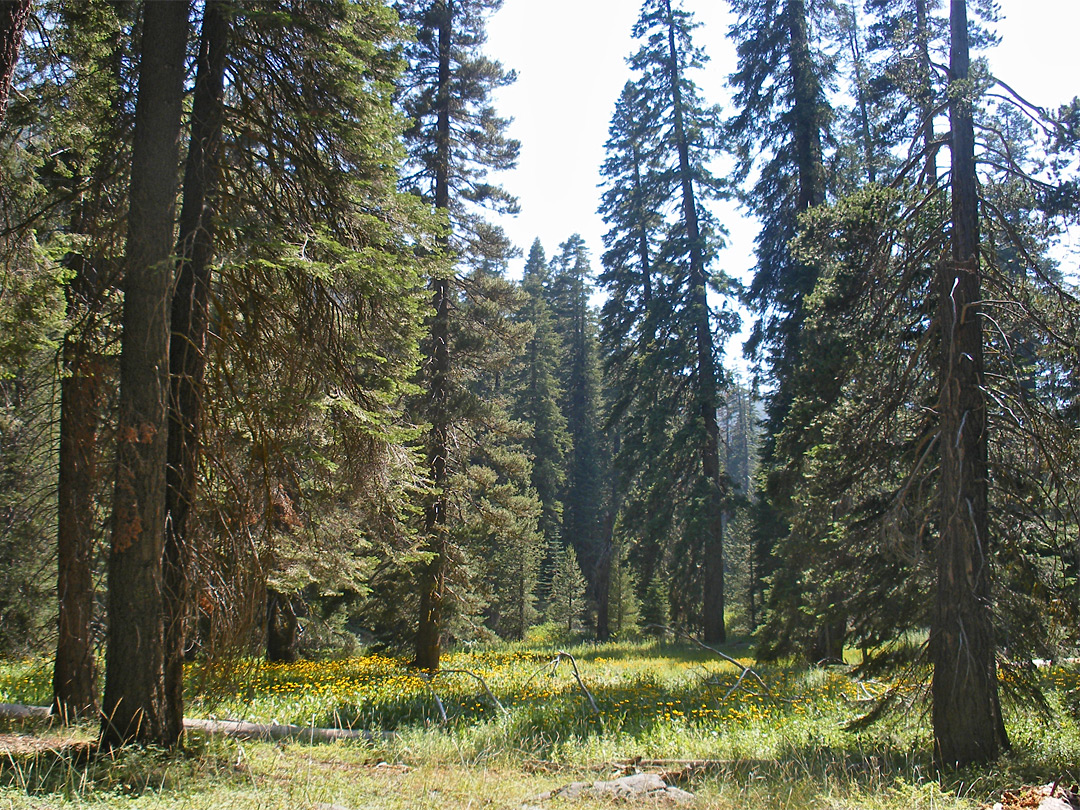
{"x": 191, "y": 319}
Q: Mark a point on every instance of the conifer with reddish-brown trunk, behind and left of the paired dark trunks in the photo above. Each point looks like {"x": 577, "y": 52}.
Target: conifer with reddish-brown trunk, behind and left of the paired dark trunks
{"x": 89, "y": 140}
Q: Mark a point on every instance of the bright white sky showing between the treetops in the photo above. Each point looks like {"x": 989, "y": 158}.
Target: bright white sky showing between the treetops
{"x": 571, "y": 60}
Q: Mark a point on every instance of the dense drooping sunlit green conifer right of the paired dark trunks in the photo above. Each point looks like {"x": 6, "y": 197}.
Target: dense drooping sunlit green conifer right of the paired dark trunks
{"x": 312, "y": 483}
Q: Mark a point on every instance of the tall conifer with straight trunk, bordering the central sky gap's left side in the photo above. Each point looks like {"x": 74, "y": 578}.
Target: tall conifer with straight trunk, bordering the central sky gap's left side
{"x": 454, "y": 140}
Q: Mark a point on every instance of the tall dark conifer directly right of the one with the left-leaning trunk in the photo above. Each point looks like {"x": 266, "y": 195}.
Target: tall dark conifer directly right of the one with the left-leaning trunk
{"x": 784, "y": 114}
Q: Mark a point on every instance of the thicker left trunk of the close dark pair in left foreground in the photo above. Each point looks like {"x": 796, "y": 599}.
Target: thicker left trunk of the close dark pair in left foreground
{"x": 134, "y": 709}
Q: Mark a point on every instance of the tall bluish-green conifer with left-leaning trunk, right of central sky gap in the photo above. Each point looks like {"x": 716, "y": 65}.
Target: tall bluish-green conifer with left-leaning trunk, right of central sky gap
{"x": 669, "y": 329}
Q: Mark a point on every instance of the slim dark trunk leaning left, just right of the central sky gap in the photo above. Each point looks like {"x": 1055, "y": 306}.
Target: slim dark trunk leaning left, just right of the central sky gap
{"x": 713, "y": 625}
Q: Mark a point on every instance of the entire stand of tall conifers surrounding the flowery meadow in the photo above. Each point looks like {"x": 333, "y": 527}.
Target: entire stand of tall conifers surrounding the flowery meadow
{"x": 373, "y": 434}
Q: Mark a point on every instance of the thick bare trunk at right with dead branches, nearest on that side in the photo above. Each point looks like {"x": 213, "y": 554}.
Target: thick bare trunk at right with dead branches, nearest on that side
{"x": 967, "y": 713}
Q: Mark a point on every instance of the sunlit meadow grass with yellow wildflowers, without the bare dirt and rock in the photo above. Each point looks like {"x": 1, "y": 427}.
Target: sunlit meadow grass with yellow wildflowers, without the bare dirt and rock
{"x": 785, "y": 746}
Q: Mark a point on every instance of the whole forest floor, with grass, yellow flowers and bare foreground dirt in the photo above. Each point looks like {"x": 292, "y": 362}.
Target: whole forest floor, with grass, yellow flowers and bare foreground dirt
{"x": 511, "y": 726}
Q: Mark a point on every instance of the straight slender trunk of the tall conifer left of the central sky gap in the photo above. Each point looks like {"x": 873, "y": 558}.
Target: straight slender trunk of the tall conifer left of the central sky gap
{"x": 434, "y": 574}
